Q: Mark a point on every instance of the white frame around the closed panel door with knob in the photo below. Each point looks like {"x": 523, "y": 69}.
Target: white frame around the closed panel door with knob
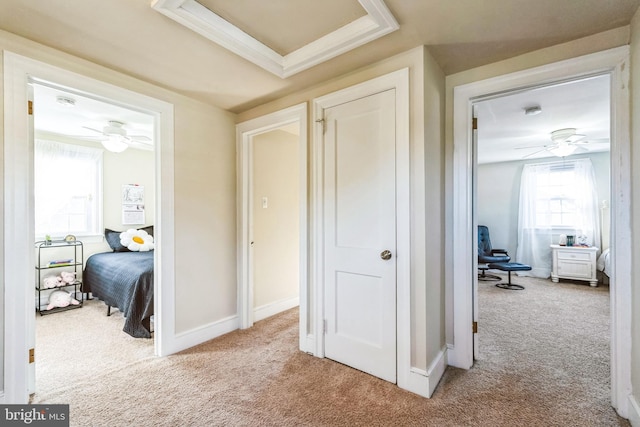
{"x": 407, "y": 378}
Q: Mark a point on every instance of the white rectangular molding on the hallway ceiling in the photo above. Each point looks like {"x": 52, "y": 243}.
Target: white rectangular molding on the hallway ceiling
{"x": 378, "y": 22}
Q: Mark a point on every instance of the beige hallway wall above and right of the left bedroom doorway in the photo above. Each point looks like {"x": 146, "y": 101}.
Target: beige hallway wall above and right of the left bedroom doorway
{"x": 205, "y": 235}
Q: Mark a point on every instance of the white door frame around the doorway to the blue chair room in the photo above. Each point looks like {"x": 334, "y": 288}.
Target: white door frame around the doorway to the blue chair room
{"x": 460, "y": 269}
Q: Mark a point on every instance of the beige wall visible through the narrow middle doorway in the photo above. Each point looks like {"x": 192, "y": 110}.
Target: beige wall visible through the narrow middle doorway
{"x": 276, "y": 227}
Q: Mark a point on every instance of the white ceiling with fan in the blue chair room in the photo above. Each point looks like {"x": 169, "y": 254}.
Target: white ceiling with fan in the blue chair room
{"x": 506, "y": 133}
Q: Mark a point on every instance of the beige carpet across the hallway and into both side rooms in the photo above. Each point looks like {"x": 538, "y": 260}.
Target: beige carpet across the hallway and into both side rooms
{"x": 544, "y": 362}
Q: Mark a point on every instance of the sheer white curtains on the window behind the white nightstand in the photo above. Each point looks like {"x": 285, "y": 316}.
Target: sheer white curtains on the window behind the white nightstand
{"x": 555, "y": 198}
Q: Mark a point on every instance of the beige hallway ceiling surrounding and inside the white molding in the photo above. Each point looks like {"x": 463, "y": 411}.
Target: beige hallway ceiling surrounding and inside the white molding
{"x": 129, "y": 36}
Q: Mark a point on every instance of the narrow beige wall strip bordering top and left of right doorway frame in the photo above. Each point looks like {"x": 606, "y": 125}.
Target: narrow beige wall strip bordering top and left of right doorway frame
{"x": 606, "y": 40}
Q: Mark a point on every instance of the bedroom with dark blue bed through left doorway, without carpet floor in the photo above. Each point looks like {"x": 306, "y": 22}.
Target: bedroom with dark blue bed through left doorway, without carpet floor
{"x": 94, "y": 183}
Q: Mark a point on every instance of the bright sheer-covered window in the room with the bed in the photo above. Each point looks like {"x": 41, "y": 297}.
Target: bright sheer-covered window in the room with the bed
{"x": 67, "y": 190}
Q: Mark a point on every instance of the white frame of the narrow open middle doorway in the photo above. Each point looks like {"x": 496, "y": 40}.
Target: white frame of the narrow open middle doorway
{"x": 245, "y": 132}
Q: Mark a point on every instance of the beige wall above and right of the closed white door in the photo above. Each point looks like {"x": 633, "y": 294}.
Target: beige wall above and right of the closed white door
{"x": 426, "y": 105}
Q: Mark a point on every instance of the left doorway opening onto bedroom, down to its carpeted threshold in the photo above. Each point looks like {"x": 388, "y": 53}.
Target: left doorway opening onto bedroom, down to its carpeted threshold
{"x": 84, "y": 198}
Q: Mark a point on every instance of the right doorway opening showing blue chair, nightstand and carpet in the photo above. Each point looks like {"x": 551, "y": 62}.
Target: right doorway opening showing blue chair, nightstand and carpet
{"x": 517, "y": 156}
